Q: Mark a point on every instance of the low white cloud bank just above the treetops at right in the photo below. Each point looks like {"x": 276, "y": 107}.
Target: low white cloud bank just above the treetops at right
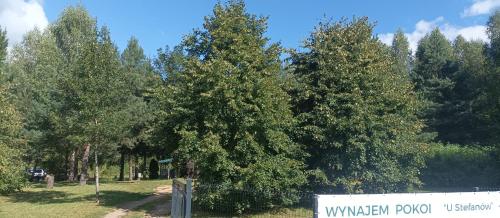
{"x": 423, "y": 27}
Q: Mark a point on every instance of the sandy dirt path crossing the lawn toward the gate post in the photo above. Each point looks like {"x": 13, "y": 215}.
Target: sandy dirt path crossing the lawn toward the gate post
{"x": 159, "y": 211}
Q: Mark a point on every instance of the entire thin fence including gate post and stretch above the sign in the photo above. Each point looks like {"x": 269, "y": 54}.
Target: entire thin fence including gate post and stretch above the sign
{"x": 227, "y": 201}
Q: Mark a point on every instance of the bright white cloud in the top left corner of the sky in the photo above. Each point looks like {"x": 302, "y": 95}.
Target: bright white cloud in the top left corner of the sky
{"x": 20, "y": 16}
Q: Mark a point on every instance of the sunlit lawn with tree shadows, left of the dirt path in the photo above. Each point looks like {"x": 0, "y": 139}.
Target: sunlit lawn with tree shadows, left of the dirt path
{"x": 72, "y": 200}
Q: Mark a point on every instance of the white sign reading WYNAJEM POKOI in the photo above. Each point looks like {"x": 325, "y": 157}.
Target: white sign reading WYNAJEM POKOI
{"x": 416, "y": 205}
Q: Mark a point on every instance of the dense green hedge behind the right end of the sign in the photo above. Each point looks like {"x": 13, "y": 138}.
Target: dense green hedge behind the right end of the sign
{"x": 454, "y": 166}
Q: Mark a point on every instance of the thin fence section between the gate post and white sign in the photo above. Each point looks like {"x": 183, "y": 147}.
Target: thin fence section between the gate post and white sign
{"x": 223, "y": 201}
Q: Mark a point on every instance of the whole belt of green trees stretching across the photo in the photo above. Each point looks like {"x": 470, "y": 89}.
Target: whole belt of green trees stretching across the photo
{"x": 345, "y": 113}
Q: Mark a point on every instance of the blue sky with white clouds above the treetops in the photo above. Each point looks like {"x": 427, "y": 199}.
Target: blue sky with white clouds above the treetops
{"x": 164, "y": 23}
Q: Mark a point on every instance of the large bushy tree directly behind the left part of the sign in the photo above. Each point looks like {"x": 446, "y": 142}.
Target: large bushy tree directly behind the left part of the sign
{"x": 356, "y": 112}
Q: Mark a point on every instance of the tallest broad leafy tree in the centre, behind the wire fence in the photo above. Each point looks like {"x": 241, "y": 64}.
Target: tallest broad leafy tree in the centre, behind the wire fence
{"x": 229, "y": 115}
